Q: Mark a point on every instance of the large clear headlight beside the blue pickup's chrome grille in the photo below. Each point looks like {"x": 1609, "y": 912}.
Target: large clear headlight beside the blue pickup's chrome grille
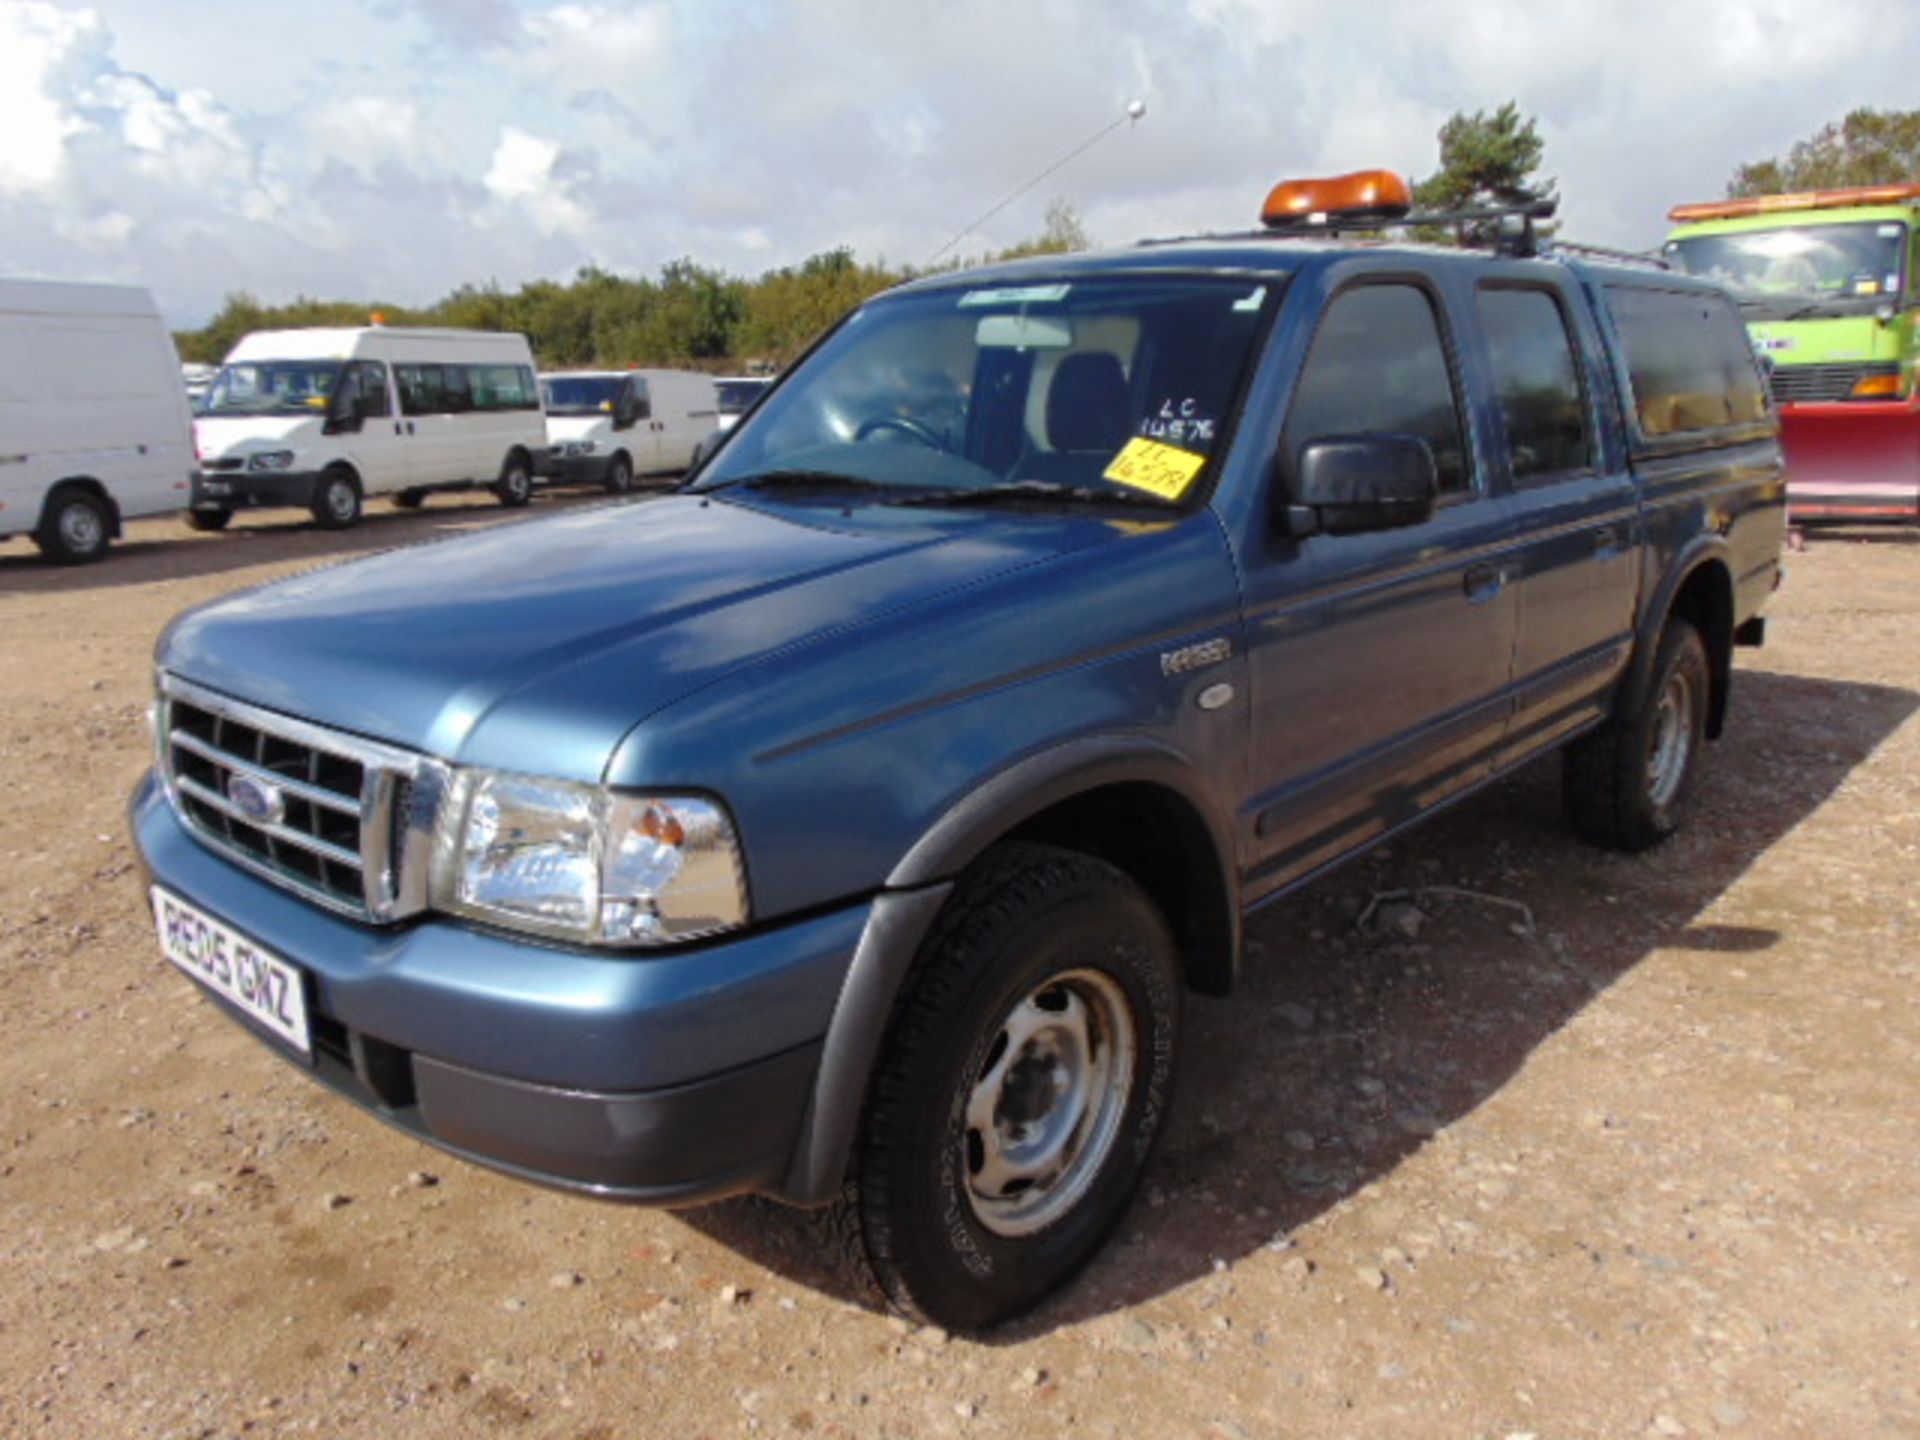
{"x": 587, "y": 863}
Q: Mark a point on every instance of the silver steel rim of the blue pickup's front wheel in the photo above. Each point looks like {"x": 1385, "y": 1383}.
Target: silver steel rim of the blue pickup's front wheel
{"x": 1045, "y": 1109}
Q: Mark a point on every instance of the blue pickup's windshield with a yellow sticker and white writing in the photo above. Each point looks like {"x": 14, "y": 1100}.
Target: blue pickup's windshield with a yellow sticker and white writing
{"x": 1020, "y": 385}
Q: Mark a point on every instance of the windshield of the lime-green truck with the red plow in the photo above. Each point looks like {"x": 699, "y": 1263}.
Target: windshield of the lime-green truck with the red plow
{"x": 1800, "y": 262}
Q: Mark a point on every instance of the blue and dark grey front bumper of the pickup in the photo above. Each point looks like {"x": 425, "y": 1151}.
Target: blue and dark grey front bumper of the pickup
{"x": 660, "y": 1078}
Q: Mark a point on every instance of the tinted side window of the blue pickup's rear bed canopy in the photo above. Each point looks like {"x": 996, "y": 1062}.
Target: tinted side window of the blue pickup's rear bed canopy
{"x": 1689, "y": 358}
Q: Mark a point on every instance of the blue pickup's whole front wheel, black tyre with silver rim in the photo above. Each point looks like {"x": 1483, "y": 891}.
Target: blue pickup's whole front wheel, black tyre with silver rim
{"x": 1032, "y": 934}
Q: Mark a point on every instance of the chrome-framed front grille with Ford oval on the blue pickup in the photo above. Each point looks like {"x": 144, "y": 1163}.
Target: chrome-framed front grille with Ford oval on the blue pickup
{"x": 327, "y": 815}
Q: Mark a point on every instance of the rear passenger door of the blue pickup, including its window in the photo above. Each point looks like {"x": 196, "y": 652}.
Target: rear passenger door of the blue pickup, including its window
{"x": 1573, "y": 500}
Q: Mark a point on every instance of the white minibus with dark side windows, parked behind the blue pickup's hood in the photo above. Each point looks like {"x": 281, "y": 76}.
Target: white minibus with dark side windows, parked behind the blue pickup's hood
{"x": 327, "y": 418}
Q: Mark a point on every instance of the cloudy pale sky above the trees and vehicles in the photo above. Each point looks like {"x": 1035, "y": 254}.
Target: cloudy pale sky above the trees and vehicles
{"x": 400, "y": 149}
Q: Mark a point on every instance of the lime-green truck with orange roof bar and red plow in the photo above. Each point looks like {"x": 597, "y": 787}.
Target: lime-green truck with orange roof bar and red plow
{"x": 1831, "y": 291}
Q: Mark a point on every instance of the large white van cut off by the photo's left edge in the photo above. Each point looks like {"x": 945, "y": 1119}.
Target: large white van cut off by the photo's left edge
{"x": 93, "y": 416}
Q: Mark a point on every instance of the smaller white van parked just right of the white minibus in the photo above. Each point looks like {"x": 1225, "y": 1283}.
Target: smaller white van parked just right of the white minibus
{"x": 612, "y": 425}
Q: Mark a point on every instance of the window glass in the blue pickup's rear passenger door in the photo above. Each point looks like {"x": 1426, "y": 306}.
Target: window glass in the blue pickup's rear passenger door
{"x": 1537, "y": 381}
